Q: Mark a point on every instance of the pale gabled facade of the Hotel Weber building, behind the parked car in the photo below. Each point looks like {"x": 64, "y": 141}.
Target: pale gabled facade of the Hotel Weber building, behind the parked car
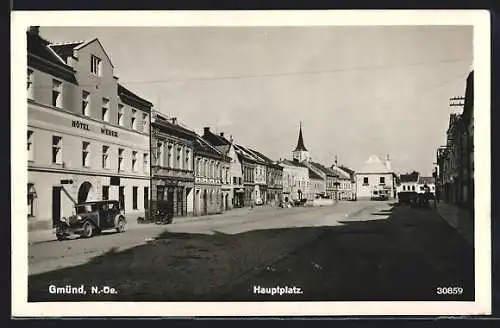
{"x": 83, "y": 134}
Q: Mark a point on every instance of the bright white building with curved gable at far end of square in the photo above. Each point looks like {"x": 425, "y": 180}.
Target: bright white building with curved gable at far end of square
{"x": 375, "y": 175}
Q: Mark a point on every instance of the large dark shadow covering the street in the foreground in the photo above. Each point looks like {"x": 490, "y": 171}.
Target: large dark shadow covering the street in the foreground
{"x": 396, "y": 254}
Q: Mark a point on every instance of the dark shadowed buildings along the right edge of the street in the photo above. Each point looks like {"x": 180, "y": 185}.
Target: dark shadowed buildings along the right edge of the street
{"x": 454, "y": 173}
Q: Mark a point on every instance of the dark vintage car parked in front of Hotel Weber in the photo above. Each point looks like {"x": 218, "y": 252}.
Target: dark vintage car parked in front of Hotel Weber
{"x": 91, "y": 218}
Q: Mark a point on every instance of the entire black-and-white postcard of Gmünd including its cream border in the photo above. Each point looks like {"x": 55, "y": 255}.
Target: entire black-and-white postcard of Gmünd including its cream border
{"x": 250, "y": 163}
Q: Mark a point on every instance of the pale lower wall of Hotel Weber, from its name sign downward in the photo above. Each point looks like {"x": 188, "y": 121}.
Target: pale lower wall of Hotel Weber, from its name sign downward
{"x": 44, "y": 122}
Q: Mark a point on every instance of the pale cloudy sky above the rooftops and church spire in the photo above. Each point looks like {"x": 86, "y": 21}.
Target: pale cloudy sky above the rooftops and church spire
{"x": 357, "y": 90}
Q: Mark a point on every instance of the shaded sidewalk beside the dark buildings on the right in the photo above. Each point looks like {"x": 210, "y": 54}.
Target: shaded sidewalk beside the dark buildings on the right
{"x": 458, "y": 218}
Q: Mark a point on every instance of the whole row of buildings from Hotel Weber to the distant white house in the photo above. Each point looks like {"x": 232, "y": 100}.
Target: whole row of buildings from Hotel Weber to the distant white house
{"x": 91, "y": 138}
